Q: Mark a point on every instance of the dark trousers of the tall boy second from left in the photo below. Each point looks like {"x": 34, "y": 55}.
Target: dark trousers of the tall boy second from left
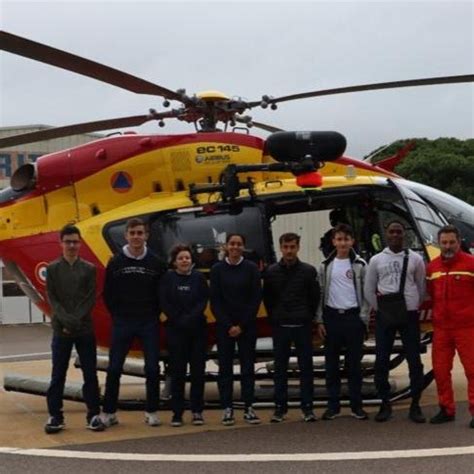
{"x": 123, "y": 333}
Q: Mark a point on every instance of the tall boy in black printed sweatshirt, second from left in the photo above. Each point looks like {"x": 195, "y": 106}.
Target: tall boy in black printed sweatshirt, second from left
{"x": 131, "y": 295}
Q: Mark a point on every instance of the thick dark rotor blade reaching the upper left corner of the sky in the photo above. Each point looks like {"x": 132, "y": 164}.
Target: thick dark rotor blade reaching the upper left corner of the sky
{"x": 56, "y": 57}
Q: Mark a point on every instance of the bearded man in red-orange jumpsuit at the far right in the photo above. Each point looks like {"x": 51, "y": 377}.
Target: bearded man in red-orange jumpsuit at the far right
{"x": 451, "y": 287}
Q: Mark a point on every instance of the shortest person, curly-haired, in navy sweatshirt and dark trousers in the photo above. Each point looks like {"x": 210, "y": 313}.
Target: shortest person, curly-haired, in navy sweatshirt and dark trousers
{"x": 183, "y": 296}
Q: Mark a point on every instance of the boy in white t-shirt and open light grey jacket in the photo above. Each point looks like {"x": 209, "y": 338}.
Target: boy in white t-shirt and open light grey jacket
{"x": 343, "y": 317}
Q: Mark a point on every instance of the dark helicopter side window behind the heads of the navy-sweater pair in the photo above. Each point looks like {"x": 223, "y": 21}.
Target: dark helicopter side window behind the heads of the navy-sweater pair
{"x": 206, "y": 233}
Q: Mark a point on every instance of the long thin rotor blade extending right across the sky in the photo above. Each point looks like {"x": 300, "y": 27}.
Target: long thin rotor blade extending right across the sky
{"x": 371, "y": 87}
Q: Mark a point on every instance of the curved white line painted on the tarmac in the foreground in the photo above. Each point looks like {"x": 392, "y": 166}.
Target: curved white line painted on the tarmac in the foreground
{"x": 290, "y": 457}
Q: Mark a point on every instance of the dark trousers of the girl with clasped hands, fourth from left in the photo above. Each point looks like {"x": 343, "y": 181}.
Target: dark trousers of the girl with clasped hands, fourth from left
{"x": 246, "y": 352}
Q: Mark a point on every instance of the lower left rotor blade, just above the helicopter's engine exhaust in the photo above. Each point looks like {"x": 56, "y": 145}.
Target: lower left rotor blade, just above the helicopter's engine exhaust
{"x": 80, "y": 128}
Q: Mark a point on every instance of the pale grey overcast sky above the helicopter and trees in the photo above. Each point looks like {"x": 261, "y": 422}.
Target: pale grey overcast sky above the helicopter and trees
{"x": 248, "y": 49}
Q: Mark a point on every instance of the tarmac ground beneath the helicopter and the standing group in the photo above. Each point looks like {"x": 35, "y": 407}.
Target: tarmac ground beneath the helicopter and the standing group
{"x": 339, "y": 446}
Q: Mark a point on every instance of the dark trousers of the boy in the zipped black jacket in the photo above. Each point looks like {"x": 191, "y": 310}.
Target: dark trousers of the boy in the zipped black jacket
{"x": 283, "y": 338}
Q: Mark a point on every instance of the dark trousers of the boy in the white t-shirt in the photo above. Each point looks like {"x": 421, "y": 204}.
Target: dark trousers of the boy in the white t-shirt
{"x": 343, "y": 330}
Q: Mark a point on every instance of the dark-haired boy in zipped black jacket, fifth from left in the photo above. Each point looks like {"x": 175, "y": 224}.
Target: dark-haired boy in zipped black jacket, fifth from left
{"x": 291, "y": 296}
